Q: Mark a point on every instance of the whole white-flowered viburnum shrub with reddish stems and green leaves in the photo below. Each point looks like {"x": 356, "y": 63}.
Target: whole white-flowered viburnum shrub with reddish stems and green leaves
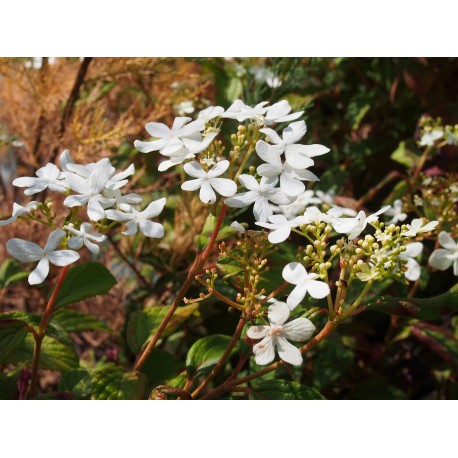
{"x": 299, "y": 259}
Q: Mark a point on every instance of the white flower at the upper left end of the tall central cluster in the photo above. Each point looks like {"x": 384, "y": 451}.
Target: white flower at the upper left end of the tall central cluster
{"x": 169, "y": 140}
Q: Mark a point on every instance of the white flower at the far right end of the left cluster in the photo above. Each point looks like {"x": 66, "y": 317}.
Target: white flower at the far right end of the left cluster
{"x": 135, "y": 219}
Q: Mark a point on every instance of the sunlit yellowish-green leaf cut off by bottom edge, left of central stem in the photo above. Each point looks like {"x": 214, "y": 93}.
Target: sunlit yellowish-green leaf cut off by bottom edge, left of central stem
{"x": 113, "y": 383}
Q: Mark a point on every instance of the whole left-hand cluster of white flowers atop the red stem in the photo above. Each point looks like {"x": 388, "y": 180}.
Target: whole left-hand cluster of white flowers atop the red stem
{"x": 95, "y": 187}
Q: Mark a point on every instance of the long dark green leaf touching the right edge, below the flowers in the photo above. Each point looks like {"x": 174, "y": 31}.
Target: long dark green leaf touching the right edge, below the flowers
{"x": 421, "y": 309}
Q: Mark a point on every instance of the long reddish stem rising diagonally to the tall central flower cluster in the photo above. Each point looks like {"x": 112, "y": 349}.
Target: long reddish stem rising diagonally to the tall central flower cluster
{"x": 196, "y": 267}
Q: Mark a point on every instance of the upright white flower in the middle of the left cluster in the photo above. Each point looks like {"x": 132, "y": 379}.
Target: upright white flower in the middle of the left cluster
{"x": 90, "y": 192}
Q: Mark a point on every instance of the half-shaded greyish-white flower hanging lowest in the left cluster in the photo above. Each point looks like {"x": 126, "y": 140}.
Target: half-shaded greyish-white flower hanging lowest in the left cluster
{"x": 30, "y": 252}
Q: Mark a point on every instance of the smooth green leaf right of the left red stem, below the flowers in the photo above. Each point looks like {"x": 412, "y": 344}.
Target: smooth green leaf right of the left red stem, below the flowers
{"x": 83, "y": 281}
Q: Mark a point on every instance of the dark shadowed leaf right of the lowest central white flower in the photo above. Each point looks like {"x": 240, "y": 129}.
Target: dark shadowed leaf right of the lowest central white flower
{"x": 332, "y": 360}
